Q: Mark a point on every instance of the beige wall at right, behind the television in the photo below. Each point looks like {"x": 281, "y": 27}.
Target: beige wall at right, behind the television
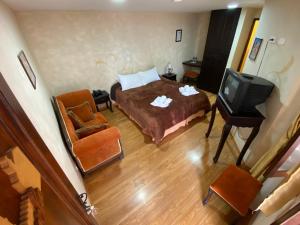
{"x": 281, "y": 65}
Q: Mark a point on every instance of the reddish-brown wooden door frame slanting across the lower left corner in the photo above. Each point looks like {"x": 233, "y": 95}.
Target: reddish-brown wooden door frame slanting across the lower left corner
{"x": 19, "y": 128}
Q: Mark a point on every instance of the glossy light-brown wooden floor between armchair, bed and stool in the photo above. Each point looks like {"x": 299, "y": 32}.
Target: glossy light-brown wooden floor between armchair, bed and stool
{"x": 162, "y": 184}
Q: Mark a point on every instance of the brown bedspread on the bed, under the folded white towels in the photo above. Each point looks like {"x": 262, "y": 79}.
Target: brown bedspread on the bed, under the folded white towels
{"x": 154, "y": 120}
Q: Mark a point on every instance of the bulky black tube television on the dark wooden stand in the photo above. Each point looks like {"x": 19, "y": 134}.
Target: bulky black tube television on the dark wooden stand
{"x": 242, "y": 92}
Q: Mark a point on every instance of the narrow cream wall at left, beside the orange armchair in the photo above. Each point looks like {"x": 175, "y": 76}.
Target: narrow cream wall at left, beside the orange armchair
{"x": 36, "y": 103}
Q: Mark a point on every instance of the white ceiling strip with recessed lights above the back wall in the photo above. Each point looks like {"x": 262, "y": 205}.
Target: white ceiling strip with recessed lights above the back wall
{"x": 128, "y": 5}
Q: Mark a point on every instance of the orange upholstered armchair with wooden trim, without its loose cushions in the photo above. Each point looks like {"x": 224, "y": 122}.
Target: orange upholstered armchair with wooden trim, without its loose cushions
{"x": 96, "y": 149}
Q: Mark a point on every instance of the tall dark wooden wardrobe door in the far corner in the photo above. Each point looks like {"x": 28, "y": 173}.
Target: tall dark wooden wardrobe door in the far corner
{"x": 220, "y": 36}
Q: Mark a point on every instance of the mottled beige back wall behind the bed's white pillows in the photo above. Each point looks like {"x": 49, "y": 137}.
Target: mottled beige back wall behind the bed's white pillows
{"x": 77, "y": 50}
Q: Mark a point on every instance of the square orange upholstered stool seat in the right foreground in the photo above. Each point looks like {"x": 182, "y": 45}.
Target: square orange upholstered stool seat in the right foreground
{"x": 237, "y": 187}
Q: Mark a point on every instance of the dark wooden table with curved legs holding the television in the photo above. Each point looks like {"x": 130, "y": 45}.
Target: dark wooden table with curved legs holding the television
{"x": 251, "y": 119}
